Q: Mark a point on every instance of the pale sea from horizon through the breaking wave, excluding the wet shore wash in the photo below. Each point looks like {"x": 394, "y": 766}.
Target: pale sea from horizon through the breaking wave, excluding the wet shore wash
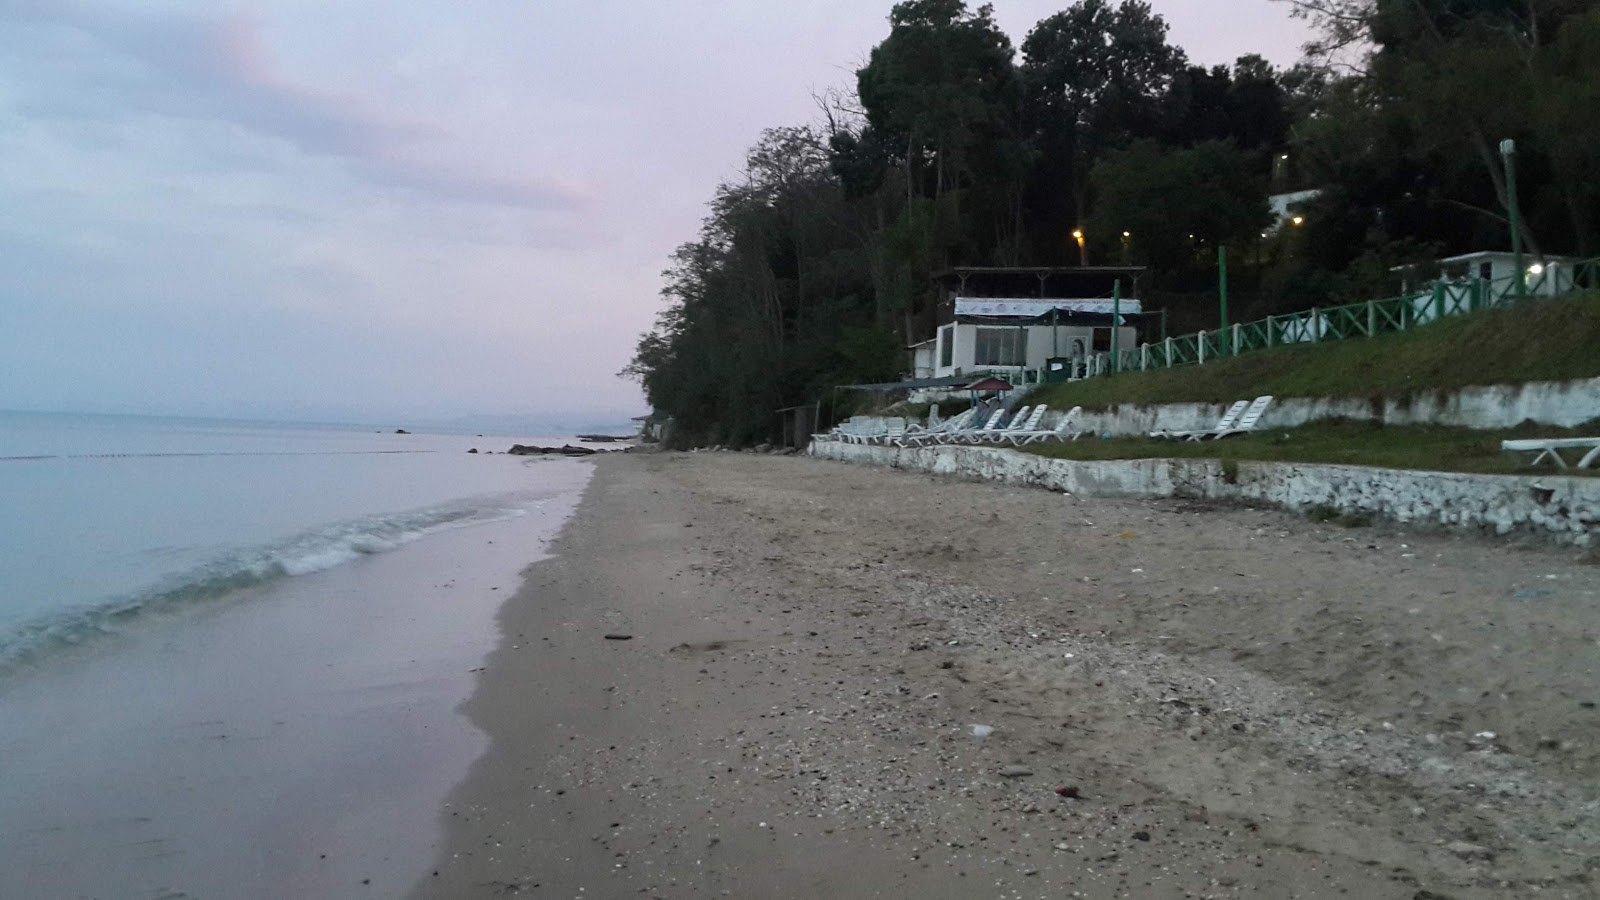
{"x": 110, "y": 520}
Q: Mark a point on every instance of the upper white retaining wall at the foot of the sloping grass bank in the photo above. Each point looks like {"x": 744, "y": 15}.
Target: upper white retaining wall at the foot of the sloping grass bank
{"x": 1564, "y": 404}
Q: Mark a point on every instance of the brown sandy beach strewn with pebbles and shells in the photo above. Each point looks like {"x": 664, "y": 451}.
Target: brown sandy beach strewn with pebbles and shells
{"x": 759, "y": 677}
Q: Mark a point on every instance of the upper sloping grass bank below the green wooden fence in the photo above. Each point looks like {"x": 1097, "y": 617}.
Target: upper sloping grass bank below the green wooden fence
{"x": 1542, "y": 340}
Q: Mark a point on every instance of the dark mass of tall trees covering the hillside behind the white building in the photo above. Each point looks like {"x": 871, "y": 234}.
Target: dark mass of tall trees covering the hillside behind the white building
{"x": 959, "y": 148}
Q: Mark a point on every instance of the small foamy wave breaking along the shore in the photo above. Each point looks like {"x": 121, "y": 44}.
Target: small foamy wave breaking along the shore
{"x": 311, "y": 552}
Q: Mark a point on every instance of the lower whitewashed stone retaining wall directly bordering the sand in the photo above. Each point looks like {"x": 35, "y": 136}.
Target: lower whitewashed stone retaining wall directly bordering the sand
{"x": 1561, "y": 508}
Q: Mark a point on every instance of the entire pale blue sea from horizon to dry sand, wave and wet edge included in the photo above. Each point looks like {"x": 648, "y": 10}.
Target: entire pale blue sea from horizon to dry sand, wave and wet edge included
{"x": 233, "y": 653}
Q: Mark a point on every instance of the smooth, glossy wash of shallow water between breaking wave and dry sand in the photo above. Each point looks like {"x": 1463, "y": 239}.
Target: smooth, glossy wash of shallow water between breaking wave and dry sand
{"x": 292, "y": 739}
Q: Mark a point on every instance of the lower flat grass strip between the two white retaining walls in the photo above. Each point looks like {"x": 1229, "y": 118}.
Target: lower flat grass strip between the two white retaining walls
{"x": 1340, "y": 443}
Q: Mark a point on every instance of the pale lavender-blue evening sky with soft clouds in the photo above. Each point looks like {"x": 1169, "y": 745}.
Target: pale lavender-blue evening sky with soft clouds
{"x": 367, "y": 211}
